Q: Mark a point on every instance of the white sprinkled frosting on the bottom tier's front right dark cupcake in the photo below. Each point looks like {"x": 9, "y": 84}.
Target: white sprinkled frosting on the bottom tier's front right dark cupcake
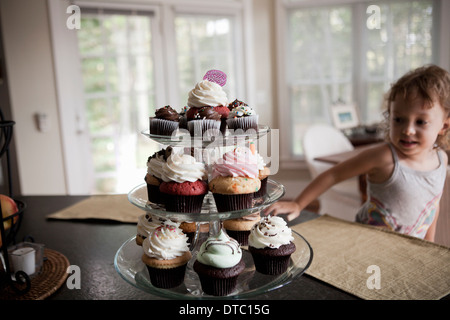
{"x": 270, "y": 232}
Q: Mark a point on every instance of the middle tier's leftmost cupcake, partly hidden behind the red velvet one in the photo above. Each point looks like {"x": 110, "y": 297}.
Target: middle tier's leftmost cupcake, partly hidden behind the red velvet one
{"x": 154, "y": 172}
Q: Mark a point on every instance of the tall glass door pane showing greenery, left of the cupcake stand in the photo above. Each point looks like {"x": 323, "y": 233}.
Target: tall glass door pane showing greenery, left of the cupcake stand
{"x": 116, "y": 54}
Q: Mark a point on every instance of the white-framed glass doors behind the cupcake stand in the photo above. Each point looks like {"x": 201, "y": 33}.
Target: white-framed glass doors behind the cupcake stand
{"x": 126, "y": 61}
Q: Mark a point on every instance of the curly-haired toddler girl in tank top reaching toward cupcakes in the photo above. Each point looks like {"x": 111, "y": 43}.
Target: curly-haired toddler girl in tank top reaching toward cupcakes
{"x": 406, "y": 174}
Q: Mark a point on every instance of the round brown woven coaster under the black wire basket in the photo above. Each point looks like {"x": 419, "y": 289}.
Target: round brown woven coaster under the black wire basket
{"x": 50, "y": 279}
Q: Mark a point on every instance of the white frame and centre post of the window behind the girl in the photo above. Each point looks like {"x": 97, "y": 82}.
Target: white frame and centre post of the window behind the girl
{"x": 441, "y": 56}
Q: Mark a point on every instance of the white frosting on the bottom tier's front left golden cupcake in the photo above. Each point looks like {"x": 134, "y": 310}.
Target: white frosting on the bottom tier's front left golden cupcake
{"x": 165, "y": 243}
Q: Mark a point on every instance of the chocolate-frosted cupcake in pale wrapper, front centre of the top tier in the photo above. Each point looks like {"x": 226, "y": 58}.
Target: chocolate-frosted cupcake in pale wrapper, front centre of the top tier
{"x": 205, "y": 122}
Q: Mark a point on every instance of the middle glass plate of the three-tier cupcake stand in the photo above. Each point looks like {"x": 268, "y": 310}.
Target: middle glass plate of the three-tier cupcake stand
{"x": 138, "y": 197}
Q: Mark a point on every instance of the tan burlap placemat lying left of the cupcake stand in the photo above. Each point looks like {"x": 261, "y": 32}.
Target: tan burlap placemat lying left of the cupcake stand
{"x": 106, "y": 207}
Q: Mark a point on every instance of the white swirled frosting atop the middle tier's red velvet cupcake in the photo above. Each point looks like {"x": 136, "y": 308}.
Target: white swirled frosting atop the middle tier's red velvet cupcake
{"x": 183, "y": 167}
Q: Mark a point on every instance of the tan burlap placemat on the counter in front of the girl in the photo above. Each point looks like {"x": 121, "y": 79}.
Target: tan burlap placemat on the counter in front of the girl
{"x": 375, "y": 264}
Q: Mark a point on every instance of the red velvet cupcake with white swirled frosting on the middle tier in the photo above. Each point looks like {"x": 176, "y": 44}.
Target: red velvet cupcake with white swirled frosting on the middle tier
{"x": 184, "y": 183}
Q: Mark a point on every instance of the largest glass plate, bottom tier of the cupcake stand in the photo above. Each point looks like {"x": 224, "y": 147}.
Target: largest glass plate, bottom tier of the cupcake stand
{"x": 129, "y": 265}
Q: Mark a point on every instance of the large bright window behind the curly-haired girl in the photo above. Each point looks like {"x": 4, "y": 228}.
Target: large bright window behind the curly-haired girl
{"x": 332, "y": 53}
